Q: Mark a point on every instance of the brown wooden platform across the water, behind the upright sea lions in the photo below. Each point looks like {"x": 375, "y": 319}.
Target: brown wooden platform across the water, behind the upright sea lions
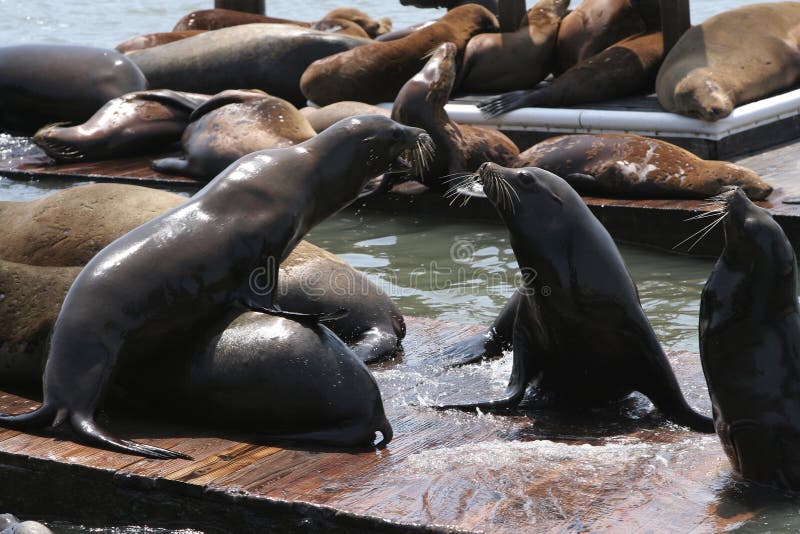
{"x": 659, "y": 224}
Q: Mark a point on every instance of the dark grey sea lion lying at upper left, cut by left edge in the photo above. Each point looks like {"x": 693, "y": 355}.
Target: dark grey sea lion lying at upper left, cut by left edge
{"x": 42, "y": 84}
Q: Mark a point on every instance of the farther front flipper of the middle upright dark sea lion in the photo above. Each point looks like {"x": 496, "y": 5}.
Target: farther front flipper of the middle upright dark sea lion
{"x": 489, "y": 344}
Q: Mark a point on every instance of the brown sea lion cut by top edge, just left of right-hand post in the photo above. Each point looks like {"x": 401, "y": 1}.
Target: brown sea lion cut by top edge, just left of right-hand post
{"x": 595, "y": 25}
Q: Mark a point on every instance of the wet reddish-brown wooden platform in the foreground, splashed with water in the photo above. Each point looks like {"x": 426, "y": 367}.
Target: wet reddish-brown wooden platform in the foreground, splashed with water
{"x": 613, "y": 469}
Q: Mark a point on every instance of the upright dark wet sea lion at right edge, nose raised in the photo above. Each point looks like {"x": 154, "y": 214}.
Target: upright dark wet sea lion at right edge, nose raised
{"x": 750, "y": 346}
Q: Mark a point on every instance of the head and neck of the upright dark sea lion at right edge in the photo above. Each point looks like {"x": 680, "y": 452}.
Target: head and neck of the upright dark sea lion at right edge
{"x": 756, "y": 245}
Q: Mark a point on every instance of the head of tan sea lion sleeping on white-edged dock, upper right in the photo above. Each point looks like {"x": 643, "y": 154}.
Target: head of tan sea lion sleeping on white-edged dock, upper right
{"x": 702, "y": 97}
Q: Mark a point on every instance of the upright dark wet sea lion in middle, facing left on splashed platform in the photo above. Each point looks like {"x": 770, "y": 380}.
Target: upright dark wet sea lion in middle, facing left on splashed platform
{"x": 580, "y": 332}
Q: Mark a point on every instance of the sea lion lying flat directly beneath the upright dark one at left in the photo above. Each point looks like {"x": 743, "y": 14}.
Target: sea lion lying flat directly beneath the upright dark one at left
{"x": 241, "y": 372}
